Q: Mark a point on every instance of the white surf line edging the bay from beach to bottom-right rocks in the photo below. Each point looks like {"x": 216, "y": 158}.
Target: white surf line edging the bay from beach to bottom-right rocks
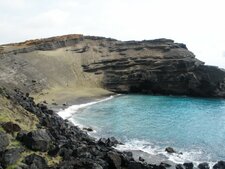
{"x": 150, "y": 158}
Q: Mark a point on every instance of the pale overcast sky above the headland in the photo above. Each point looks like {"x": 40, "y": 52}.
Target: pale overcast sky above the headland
{"x": 200, "y": 24}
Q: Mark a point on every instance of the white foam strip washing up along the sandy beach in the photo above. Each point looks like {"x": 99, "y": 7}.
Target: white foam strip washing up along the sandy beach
{"x": 68, "y": 112}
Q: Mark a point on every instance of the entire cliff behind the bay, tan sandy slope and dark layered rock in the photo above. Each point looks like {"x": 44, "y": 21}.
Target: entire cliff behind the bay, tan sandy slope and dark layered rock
{"x": 156, "y": 66}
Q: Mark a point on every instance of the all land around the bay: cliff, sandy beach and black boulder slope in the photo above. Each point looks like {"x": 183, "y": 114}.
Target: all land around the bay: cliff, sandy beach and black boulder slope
{"x": 39, "y": 74}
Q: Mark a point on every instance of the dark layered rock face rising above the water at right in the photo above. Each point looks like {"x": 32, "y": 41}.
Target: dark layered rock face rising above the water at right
{"x": 158, "y": 67}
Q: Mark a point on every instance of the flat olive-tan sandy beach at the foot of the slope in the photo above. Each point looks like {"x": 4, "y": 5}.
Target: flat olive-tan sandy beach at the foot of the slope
{"x": 59, "y": 97}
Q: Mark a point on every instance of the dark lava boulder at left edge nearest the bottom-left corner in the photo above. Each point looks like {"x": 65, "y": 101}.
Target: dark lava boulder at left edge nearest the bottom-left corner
{"x": 11, "y": 156}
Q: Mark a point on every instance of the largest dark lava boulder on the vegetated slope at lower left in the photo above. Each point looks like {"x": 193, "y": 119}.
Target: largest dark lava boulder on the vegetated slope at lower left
{"x": 38, "y": 140}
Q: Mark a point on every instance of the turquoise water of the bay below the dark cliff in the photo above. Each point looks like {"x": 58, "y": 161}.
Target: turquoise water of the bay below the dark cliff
{"x": 194, "y": 126}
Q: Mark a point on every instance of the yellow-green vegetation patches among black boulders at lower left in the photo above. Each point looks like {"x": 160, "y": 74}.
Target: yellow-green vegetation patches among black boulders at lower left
{"x": 10, "y": 112}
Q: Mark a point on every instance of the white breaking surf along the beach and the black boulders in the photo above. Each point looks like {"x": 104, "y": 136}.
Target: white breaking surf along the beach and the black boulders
{"x": 193, "y": 155}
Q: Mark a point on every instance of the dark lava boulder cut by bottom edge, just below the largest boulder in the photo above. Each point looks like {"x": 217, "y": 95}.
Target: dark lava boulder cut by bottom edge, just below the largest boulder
{"x": 35, "y": 162}
